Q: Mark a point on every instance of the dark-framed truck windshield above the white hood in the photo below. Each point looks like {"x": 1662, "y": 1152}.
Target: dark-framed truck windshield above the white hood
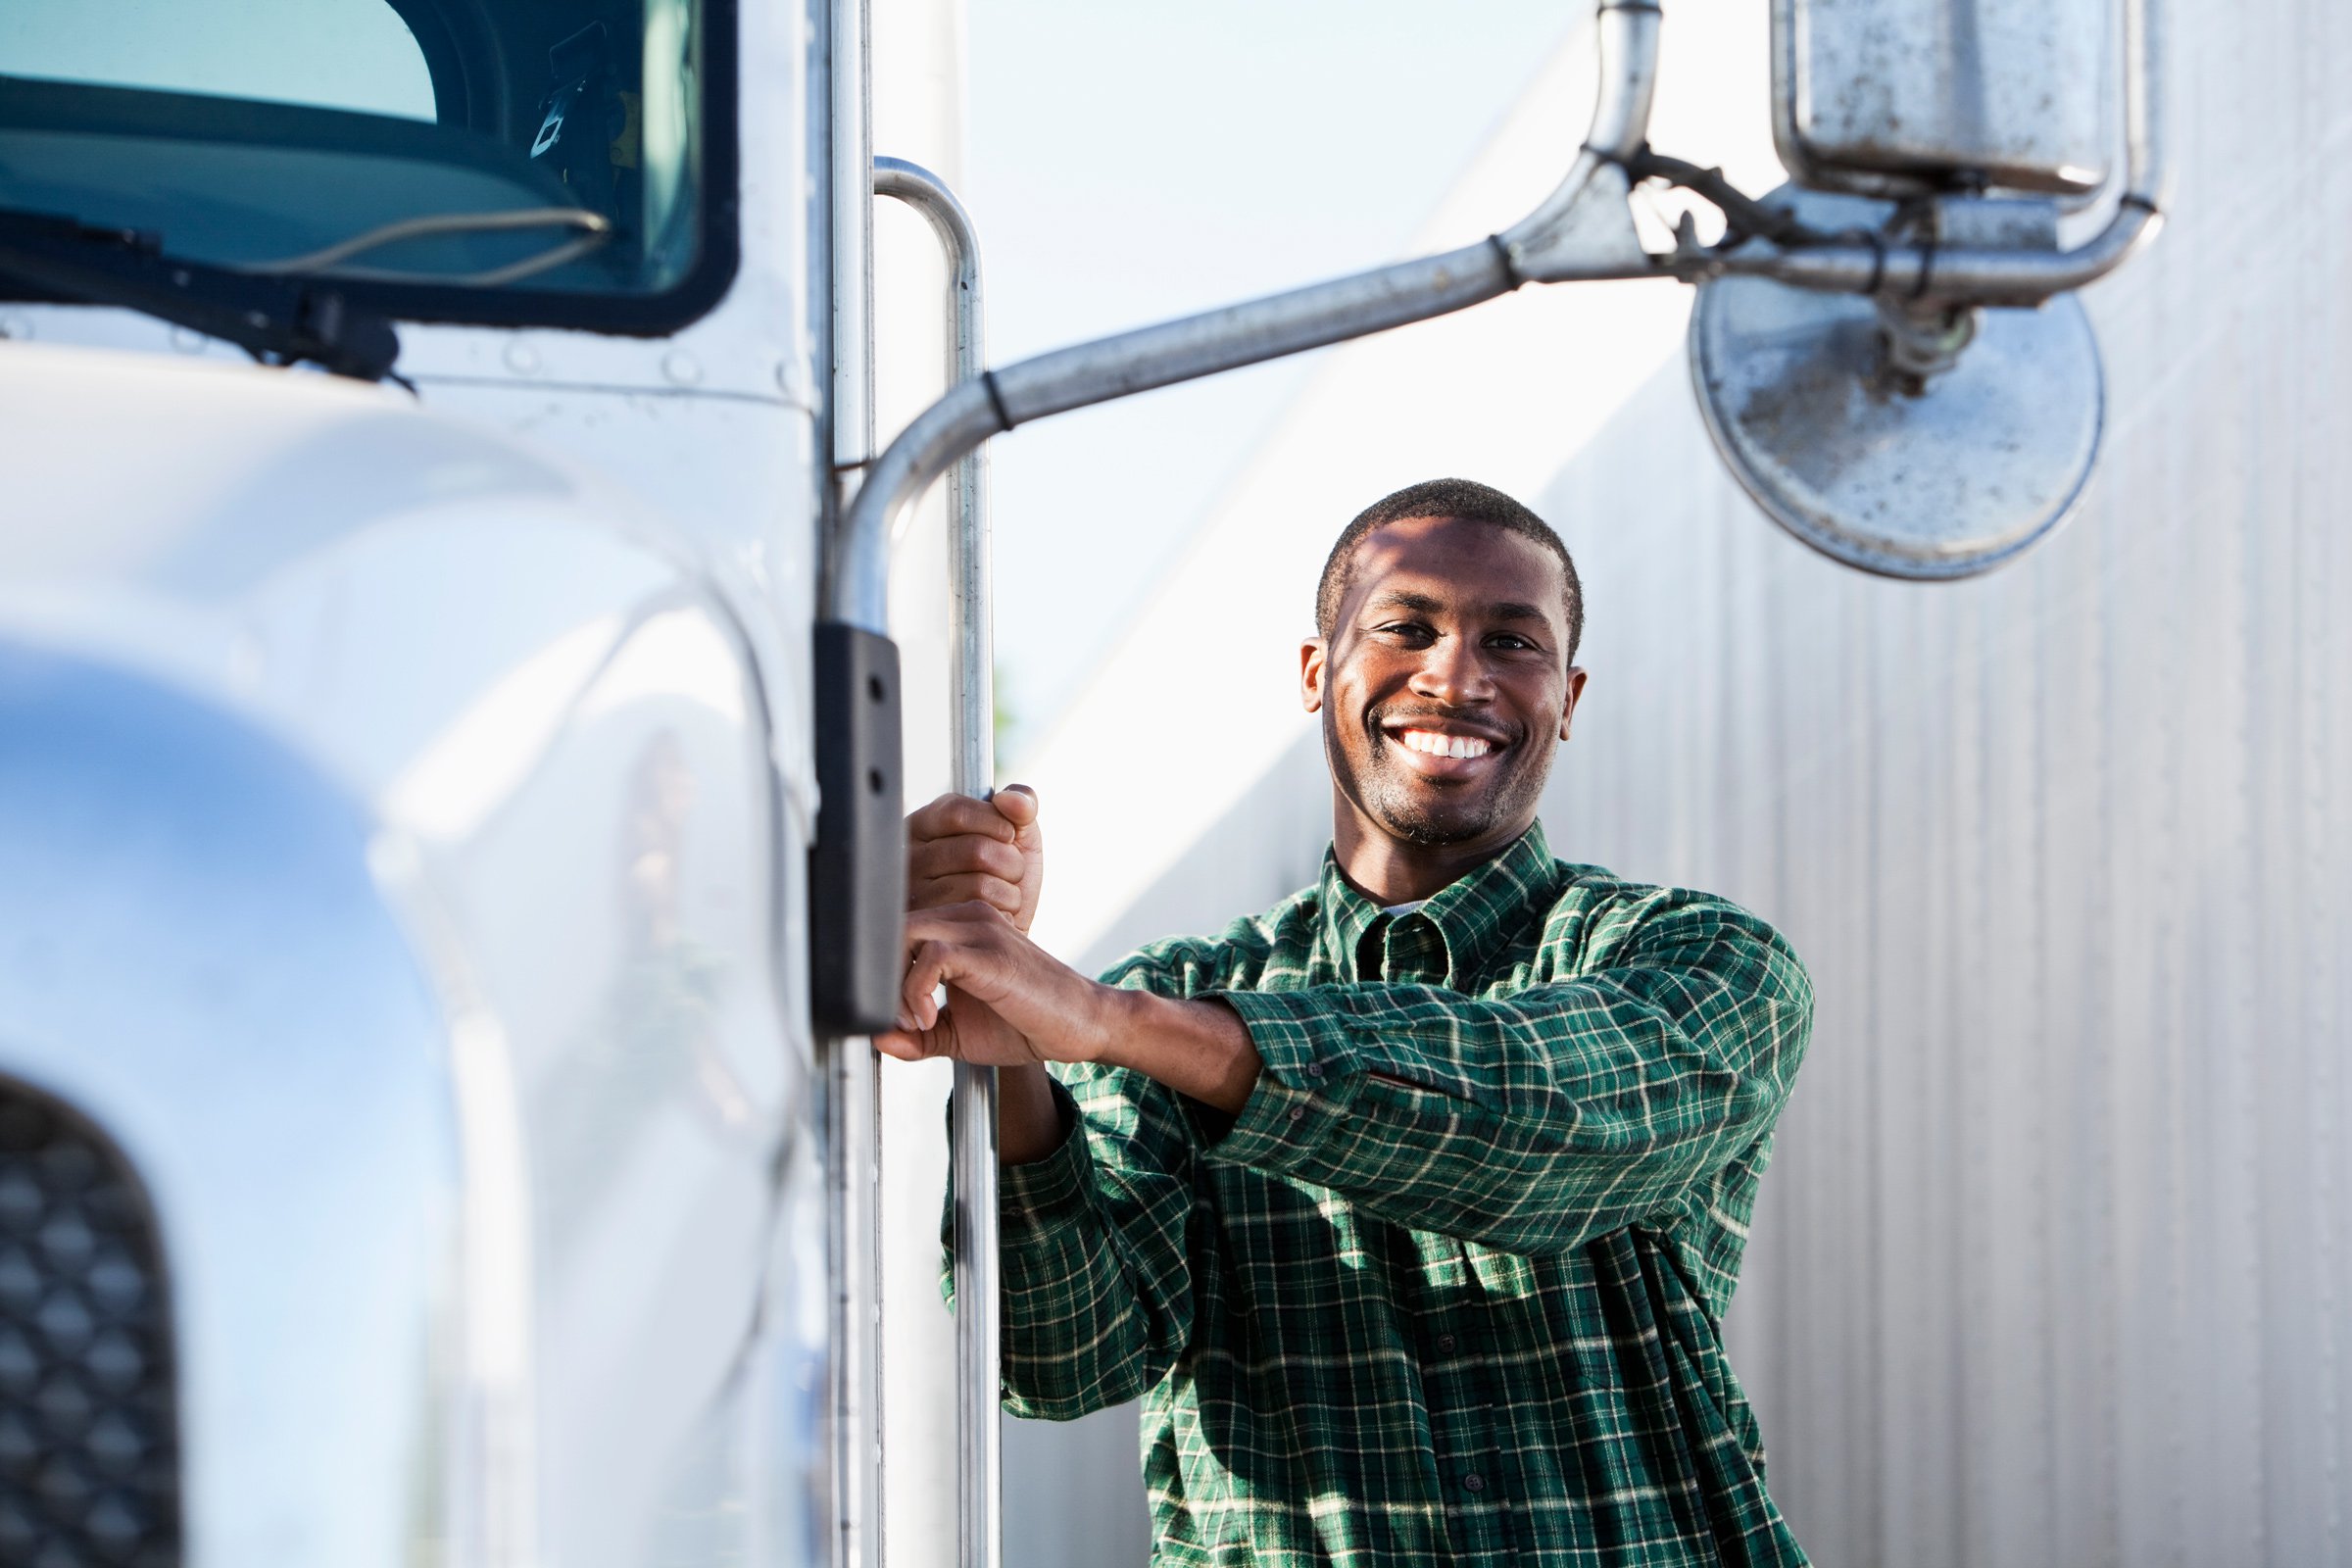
{"x": 509, "y": 161}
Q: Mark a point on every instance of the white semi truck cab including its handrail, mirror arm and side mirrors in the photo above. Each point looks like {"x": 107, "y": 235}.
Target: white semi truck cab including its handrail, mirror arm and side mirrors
{"x": 450, "y": 728}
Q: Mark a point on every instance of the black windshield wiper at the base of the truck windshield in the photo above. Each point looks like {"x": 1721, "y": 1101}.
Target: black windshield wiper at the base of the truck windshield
{"x": 279, "y": 321}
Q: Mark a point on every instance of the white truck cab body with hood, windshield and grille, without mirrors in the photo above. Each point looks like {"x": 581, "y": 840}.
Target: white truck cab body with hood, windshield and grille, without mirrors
{"x": 408, "y": 1139}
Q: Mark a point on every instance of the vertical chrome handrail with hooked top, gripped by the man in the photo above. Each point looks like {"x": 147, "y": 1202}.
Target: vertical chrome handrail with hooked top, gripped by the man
{"x": 973, "y": 1111}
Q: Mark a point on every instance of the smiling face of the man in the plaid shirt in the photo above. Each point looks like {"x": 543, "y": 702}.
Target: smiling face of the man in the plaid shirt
{"x": 1445, "y": 683}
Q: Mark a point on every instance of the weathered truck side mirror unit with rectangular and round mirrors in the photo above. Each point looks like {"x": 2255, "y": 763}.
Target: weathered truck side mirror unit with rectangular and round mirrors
{"x": 1911, "y": 384}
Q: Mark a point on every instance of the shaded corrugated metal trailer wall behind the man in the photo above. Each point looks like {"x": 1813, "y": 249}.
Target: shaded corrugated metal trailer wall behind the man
{"x": 2054, "y": 1261}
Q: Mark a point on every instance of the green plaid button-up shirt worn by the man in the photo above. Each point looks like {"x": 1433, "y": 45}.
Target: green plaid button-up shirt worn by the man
{"x": 1448, "y": 1289}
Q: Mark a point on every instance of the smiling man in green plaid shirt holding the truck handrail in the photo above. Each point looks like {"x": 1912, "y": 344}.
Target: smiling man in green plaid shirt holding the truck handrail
{"x": 1410, "y": 1207}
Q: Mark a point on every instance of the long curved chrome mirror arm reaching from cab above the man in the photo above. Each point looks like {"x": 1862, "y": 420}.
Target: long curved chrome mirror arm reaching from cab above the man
{"x": 1582, "y": 232}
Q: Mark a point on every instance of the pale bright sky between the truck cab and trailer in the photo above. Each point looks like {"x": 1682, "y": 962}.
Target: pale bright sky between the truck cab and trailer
{"x": 1130, "y": 163}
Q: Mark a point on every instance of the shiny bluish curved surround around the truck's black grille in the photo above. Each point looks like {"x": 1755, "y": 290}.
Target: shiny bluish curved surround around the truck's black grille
{"x": 196, "y": 956}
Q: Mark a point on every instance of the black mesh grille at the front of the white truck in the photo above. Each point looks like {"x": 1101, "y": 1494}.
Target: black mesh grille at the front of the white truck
{"x": 88, "y": 1470}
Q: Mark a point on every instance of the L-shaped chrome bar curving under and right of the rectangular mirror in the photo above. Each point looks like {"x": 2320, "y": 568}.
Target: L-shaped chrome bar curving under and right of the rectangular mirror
{"x": 1993, "y": 276}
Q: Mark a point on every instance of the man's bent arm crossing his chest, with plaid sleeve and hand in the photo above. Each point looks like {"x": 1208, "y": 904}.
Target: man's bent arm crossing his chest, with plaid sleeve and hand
{"x": 1528, "y": 1125}
